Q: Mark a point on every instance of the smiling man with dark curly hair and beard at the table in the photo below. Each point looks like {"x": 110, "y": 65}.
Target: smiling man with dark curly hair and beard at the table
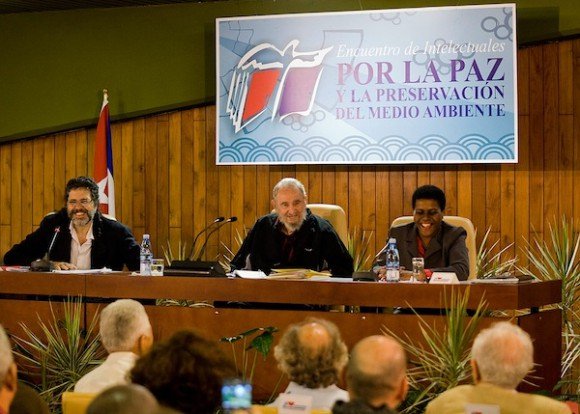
{"x": 83, "y": 237}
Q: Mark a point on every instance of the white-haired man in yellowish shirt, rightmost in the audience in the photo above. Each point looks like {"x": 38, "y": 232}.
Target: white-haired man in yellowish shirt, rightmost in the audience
{"x": 501, "y": 357}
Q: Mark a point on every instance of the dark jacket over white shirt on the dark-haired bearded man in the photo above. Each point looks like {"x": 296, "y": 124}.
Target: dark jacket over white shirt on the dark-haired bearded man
{"x": 113, "y": 246}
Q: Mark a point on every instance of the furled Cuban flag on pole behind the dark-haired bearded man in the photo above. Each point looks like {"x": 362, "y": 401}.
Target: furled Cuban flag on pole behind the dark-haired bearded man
{"x": 104, "y": 160}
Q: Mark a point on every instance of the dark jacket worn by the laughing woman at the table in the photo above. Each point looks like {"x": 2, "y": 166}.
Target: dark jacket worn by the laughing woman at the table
{"x": 446, "y": 252}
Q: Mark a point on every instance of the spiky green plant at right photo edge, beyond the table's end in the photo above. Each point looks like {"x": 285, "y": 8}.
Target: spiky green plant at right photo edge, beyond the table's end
{"x": 559, "y": 259}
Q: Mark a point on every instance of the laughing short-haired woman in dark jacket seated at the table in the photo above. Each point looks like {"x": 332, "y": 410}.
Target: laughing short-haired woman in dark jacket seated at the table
{"x": 429, "y": 236}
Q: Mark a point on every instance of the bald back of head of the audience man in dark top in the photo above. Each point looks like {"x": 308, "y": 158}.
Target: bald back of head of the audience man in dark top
{"x": 376, "y": 369}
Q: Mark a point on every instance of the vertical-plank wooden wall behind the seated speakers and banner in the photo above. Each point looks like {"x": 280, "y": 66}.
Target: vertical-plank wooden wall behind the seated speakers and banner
{"x": 168, "y": 184}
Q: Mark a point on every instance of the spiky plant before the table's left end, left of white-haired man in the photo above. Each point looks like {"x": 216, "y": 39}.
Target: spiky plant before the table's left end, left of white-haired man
{"x": 66, "y": 353}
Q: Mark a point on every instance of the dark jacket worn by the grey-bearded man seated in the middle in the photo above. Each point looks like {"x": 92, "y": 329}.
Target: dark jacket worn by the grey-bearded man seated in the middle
{"x": 317, "y": 244}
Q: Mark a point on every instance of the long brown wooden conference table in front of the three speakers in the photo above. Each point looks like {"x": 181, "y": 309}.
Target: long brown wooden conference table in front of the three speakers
{"x": 358, "y": 308}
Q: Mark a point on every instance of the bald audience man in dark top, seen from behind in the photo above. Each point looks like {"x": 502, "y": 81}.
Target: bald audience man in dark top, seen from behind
{"x": 375, "y": 376}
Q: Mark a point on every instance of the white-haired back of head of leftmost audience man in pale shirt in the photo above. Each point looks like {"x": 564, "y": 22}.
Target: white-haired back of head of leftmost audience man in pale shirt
{"x": 123, "y": 322}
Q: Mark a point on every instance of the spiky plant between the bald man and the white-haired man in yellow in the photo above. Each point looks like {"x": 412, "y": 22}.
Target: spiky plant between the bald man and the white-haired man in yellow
{"x": 440, "y": 360}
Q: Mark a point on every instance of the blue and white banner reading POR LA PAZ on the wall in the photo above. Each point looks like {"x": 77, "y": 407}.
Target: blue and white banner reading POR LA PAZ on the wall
{"x": 406, "y": 86}
